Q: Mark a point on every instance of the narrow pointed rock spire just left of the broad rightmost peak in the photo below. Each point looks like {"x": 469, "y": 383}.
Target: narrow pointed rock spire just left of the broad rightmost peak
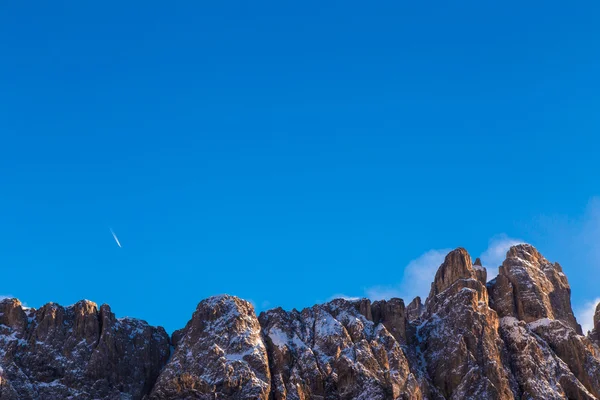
{"x": 459, "y": 338}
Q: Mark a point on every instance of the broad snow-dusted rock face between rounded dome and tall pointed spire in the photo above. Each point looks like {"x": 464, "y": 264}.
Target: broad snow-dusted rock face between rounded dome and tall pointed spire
{"x": 337, "y": 351}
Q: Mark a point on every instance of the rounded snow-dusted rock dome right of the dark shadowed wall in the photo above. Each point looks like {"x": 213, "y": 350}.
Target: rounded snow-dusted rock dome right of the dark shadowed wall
{"x": 220, "y": 354}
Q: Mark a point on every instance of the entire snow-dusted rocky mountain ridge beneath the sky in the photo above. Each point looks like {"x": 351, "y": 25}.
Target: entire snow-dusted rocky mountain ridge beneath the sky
{"x": 514, "y": 337}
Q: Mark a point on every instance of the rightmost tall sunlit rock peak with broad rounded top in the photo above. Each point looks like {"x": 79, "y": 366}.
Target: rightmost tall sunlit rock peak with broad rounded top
{"x": 549, "y": 358}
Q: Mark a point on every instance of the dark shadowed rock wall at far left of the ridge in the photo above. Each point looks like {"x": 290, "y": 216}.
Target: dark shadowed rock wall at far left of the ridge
{"x": 77, "y": 352}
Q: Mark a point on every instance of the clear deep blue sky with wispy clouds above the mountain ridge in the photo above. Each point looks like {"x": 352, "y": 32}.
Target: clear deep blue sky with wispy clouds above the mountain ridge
{"x": 289, "y": 152}
